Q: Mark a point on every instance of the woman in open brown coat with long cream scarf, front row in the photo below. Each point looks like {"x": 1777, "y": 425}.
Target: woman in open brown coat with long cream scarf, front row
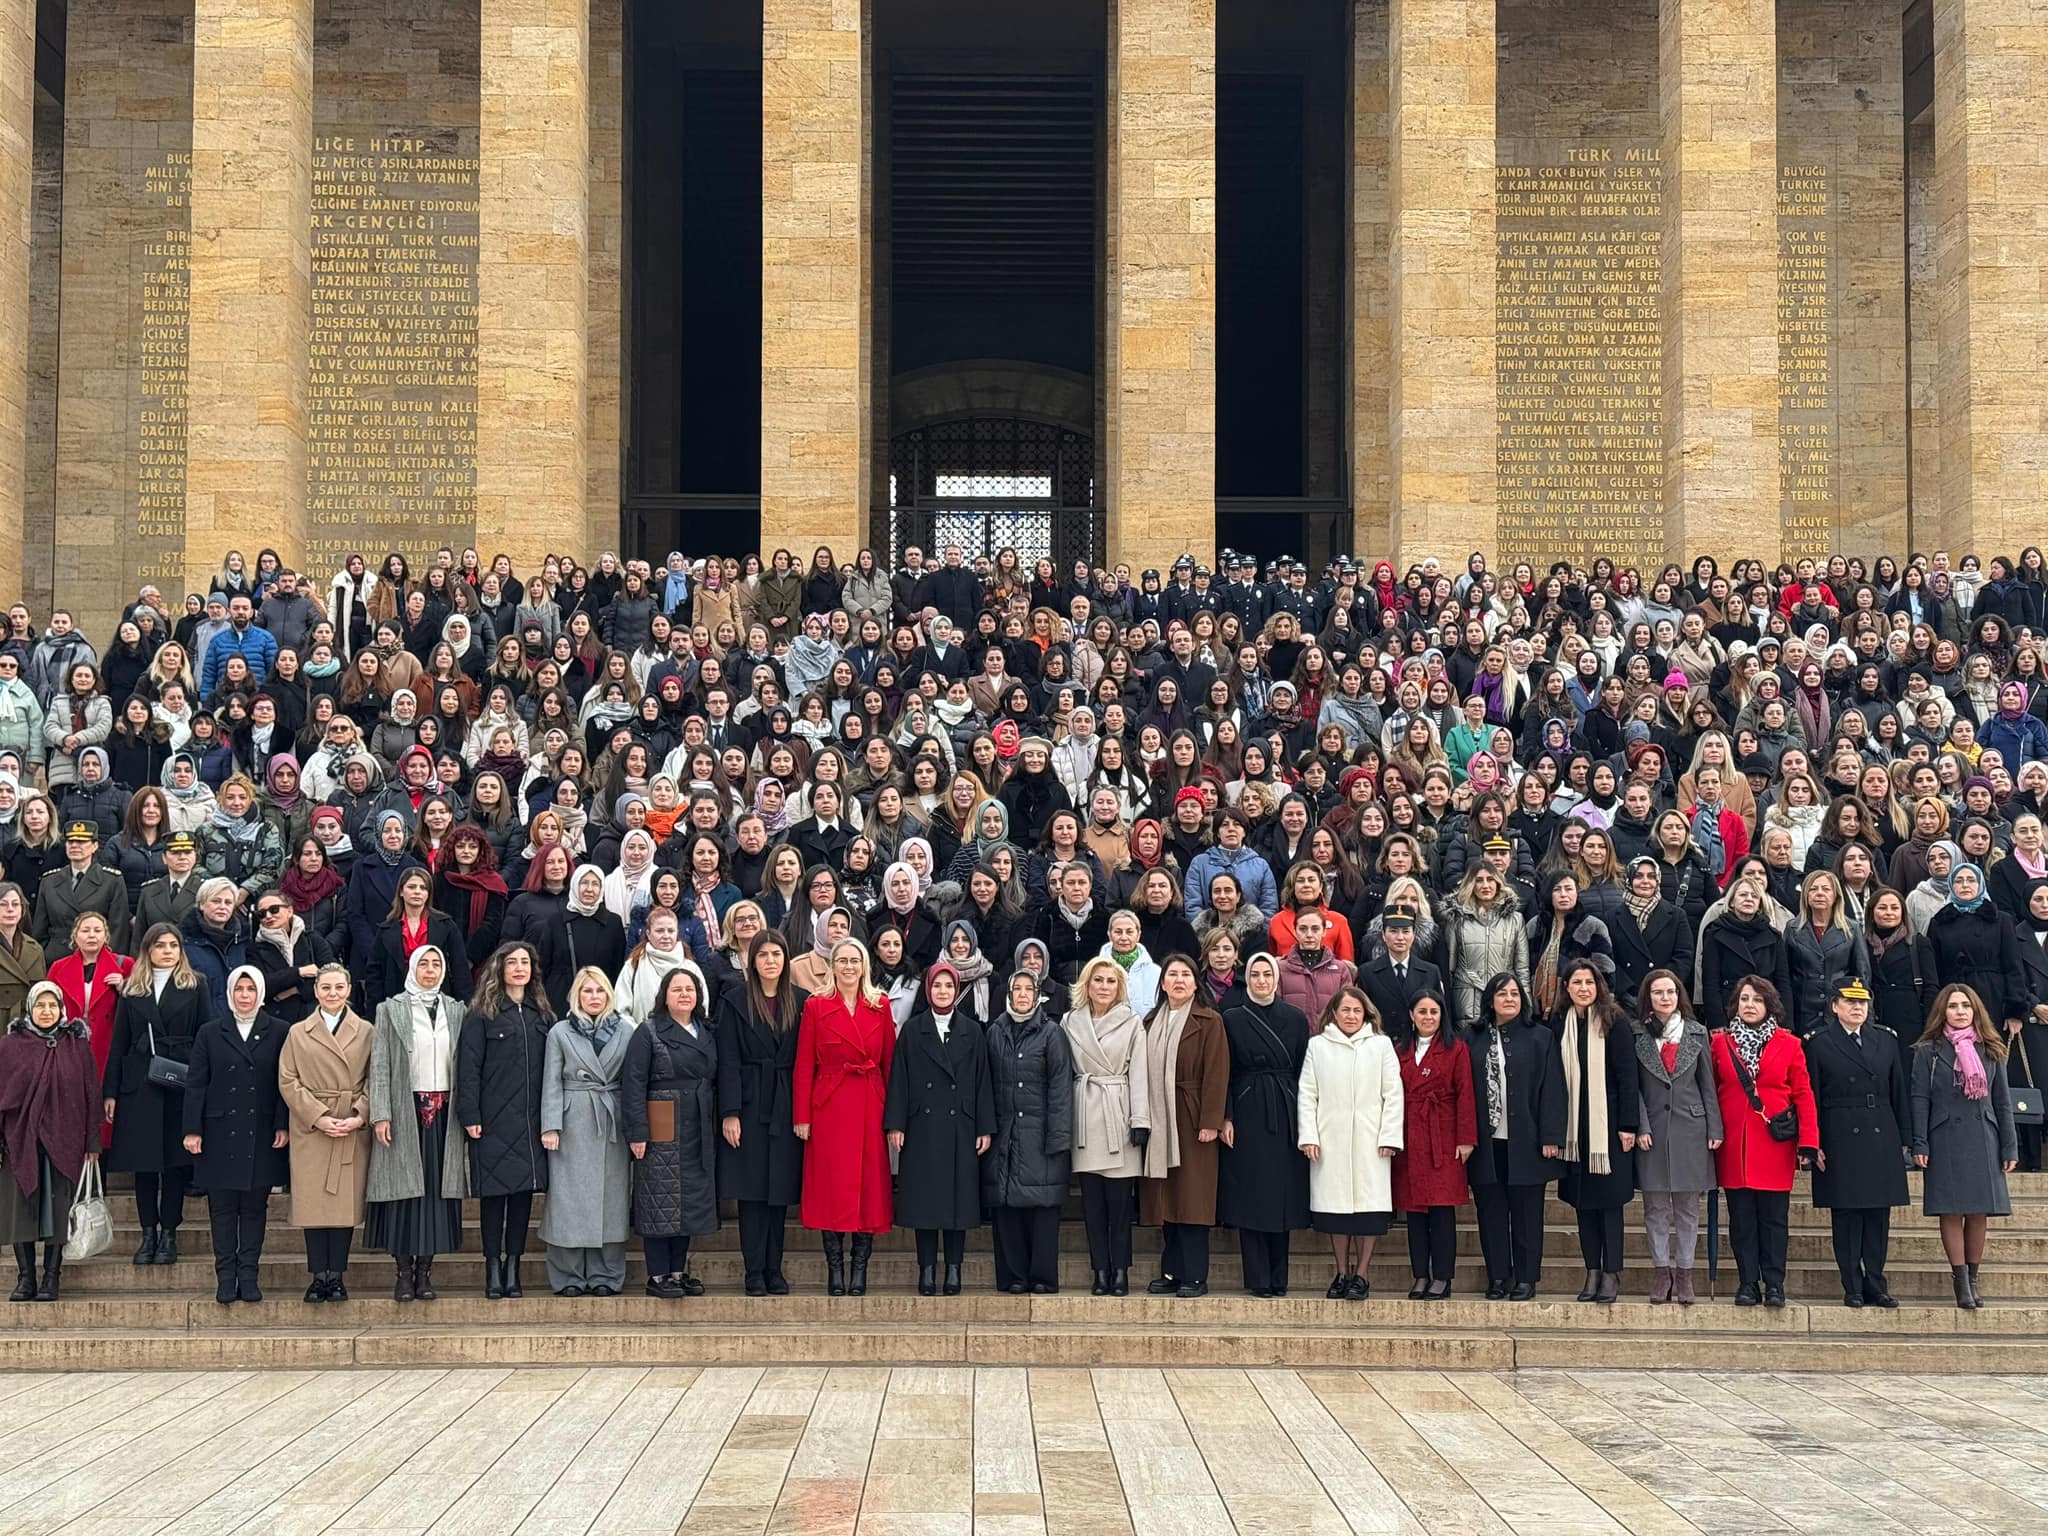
{"x": 1191, "y": 1068}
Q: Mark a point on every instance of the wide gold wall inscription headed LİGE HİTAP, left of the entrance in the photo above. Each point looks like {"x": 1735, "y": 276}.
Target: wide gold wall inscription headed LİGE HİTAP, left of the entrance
{"x": 392, "y": 425}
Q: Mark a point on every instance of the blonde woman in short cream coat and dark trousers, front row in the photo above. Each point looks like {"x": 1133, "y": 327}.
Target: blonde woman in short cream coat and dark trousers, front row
{"x": 1115, "y": 1109}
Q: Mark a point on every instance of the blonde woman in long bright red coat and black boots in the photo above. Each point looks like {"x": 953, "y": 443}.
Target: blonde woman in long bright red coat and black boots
{"x": 845, "y": 1046}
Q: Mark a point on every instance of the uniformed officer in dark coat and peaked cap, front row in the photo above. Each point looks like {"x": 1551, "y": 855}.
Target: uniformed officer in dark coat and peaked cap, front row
{"x": 1863, "y": 1097}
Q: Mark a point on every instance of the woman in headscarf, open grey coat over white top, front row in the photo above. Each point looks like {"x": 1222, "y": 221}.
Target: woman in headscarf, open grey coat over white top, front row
{"x": 419, "y": 1170}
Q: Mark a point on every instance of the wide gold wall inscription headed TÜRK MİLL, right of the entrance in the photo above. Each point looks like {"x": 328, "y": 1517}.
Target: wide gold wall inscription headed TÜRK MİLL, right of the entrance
{"x": 1580, "y": 355}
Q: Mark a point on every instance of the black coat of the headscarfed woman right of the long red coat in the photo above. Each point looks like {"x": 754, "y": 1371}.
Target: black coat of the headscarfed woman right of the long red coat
{"x": 941, "y": 1101}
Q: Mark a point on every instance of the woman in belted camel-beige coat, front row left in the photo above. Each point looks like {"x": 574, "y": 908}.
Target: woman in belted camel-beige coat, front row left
{"x": 325, "y": 1082}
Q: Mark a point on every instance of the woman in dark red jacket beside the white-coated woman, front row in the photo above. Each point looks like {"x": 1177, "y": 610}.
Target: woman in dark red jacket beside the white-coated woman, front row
{"x": 1443, "y": 1127}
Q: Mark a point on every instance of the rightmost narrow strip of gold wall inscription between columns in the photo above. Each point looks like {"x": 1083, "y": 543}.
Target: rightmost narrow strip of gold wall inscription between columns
{"x": 1807, "y": 423}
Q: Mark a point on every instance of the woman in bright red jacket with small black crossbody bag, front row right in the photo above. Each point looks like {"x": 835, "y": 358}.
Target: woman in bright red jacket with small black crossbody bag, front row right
{"x": 1756, "y": 1058}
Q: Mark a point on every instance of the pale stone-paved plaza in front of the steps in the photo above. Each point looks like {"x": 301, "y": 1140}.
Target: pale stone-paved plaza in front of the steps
{"x": 808, "y": 1449}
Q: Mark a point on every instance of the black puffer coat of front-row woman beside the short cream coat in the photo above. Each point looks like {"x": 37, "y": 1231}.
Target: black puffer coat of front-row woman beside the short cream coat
{"x": 1031, "y": 1070}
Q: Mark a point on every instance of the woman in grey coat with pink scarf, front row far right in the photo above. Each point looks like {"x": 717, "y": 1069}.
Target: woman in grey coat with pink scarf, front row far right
{"x": 1963, "y": 1129}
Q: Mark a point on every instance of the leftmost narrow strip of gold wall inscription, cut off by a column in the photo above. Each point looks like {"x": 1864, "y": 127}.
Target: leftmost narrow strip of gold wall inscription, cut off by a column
{"x": 167, "y": 292}
